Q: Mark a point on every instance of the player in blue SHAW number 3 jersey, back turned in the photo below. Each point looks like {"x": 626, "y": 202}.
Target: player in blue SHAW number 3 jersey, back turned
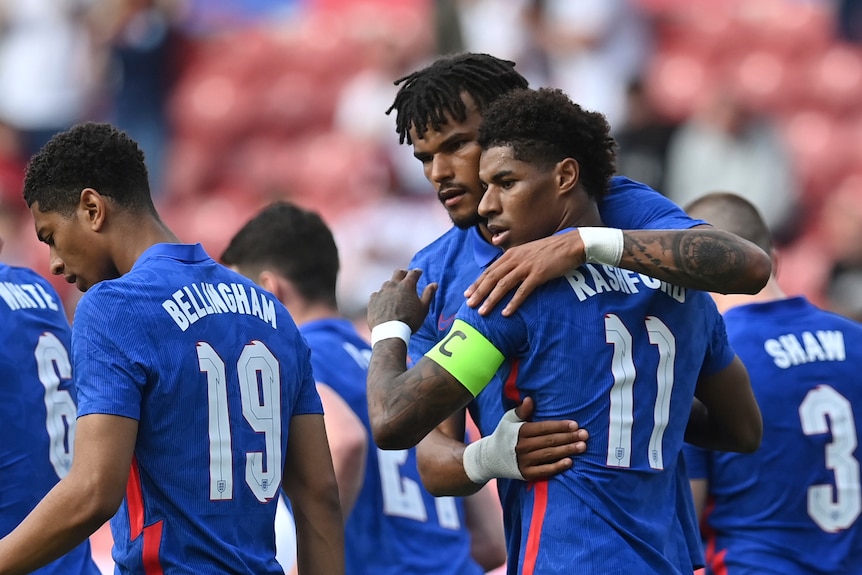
{"x": 793, "y": 506}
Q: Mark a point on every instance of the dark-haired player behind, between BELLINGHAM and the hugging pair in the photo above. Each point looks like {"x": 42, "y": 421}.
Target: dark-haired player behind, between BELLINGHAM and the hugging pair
{"x": 396, "y": 526}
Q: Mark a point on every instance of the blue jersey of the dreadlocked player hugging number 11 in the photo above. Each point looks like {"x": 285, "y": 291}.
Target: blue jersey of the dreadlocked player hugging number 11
{"x": 458, "y": 257}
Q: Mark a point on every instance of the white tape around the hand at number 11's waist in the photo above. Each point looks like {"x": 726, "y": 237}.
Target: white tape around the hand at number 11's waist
{"x": 494, "y": 455}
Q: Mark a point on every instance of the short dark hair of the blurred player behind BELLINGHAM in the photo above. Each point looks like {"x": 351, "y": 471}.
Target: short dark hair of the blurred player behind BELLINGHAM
{"x": 293, "y": 242}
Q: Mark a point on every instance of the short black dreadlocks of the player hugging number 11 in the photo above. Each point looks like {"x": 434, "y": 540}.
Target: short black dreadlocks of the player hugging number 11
{"x": 428, "y": 94}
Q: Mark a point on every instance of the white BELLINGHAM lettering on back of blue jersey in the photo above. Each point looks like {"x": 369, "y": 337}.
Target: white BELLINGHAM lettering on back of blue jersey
{"x": 197, "y": 300}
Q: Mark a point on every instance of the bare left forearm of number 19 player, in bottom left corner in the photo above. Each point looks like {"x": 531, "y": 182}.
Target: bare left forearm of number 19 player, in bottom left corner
{"x": 60, "y": 522}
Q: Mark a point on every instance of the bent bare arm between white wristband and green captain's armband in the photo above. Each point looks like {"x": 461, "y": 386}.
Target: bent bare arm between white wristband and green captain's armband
{"x": 404, "y": 406}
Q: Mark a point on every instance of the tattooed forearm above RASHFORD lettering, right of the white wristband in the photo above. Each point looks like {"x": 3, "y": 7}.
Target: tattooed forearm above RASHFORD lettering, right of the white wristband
{"x": 701, "y": 258}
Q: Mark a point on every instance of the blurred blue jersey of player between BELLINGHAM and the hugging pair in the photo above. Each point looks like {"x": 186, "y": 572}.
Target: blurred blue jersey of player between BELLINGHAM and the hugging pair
{"x": 396, "y": 527}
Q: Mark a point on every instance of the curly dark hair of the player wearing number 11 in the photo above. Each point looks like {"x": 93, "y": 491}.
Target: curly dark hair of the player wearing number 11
{"x": 544, "y": 127}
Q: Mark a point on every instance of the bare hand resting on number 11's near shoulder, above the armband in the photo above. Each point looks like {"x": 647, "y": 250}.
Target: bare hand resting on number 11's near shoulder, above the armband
{"x": 530, "y": 265}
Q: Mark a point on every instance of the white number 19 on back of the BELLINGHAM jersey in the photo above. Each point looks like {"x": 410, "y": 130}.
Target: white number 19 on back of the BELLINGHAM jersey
{"x": 260, "y": 393}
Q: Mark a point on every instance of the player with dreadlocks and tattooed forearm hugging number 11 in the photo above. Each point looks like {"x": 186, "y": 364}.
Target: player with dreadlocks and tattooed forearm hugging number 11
{"x": 439, "y": 109}
